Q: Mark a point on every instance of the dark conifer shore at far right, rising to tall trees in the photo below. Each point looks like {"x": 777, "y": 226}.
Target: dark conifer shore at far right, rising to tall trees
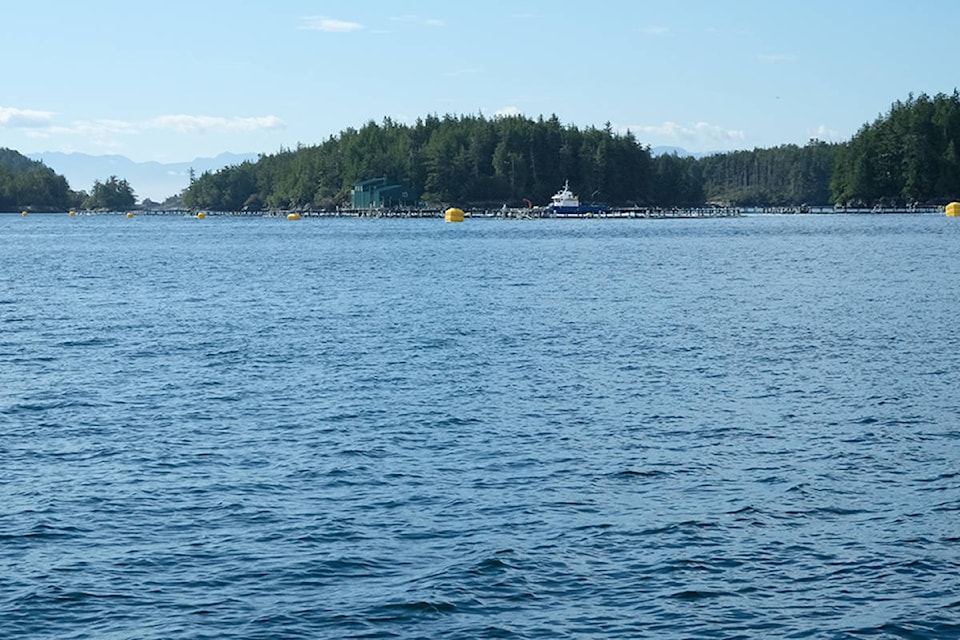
{"x": 910, "y": 155}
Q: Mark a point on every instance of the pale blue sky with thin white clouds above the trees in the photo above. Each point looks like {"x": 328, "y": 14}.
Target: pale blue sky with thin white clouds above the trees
{"x": 174, "y": 80}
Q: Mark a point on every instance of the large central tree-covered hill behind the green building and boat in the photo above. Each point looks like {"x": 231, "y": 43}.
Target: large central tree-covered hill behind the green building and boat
{"x": 468, "y": 159}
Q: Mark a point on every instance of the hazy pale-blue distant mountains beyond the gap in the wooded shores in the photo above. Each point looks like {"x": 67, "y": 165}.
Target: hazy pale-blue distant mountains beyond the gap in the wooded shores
{"x": 154, "y": 180}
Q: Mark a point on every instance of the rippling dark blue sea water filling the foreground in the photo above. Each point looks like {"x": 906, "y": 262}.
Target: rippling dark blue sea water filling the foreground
{"x": 338, "y": 428}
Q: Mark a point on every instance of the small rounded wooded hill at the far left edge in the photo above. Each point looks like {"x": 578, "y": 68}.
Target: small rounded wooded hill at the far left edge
{"x": 28, "y": 184}
